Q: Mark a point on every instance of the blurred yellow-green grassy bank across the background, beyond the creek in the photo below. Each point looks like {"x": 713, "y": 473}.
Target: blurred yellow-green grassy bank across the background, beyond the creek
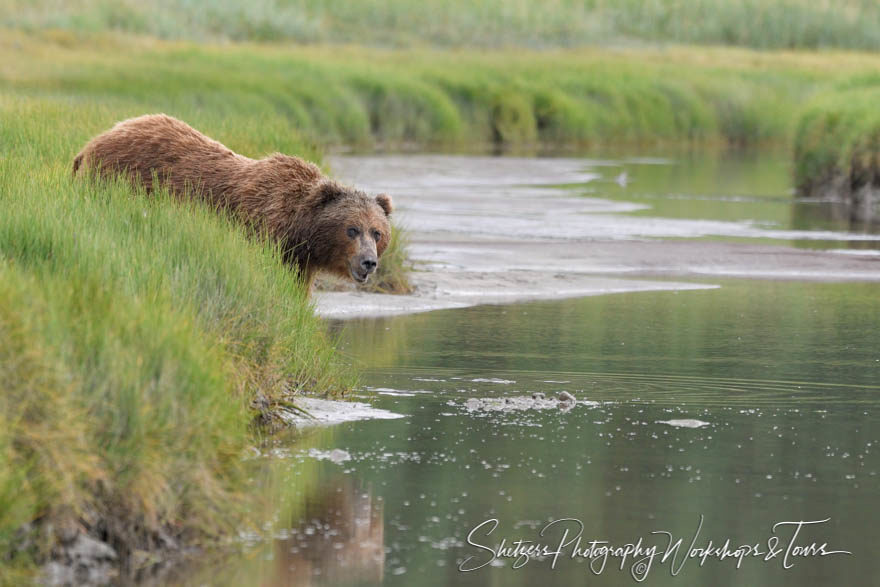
{"x": 369, "y": 98}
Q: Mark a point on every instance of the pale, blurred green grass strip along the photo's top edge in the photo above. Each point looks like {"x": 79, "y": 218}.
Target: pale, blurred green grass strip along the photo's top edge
{"x": 852, "y": 24}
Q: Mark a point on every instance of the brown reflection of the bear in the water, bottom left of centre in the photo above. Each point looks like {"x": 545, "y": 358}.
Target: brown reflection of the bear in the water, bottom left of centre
{"x": 338, "y": 539}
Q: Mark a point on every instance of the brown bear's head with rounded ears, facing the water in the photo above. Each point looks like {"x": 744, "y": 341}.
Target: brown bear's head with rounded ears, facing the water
{"x": 348, "y": 231}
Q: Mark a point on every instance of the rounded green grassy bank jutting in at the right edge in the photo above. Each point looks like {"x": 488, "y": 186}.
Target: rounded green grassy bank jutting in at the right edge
{"x": 837, "y": 147}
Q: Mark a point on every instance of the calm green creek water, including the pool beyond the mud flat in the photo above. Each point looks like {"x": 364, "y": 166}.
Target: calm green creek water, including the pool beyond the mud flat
{"x": 706, "y": 415}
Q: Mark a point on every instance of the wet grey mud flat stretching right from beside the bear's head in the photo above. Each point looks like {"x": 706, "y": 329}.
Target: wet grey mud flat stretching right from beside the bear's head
{"x": 488, "y": 230}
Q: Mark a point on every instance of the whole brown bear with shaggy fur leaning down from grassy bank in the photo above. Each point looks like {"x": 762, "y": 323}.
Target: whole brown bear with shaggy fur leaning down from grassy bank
{"x": 320, "y": 224}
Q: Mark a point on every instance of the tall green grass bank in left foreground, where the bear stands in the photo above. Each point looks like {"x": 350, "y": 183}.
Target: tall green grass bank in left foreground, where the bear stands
{"x": 138, "y": 333}
